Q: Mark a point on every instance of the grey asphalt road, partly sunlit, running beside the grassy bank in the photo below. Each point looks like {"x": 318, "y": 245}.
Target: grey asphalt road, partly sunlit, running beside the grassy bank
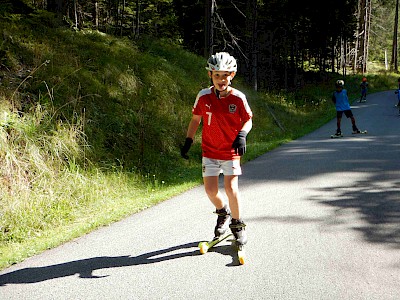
{"x": 323, "y": 220}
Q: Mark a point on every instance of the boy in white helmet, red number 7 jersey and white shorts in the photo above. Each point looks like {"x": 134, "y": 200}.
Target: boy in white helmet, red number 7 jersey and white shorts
{"x": 227, "y": 119}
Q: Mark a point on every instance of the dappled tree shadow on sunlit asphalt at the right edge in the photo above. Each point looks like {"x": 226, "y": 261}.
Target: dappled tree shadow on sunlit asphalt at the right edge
{"x": 377, "y": 203}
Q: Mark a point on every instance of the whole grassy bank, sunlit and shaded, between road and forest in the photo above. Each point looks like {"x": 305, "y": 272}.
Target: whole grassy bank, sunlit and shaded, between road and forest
{"x": 90, "y": 128}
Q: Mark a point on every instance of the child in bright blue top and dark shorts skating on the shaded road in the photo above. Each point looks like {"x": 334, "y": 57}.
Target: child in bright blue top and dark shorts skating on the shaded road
{"x": 342, "y": 104}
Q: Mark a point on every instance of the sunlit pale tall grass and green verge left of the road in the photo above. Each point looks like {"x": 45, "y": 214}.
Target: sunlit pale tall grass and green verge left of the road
{"x": 46, "y": 195}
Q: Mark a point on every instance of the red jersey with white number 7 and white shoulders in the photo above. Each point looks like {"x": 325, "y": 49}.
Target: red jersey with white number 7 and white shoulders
{"x": 222, "y": 120}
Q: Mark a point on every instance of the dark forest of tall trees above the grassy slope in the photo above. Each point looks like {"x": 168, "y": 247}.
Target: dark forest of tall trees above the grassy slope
{"x": 276, "y": 42}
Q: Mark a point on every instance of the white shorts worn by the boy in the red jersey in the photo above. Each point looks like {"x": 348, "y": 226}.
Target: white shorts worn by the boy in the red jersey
{"x": 214, "y": 167}
